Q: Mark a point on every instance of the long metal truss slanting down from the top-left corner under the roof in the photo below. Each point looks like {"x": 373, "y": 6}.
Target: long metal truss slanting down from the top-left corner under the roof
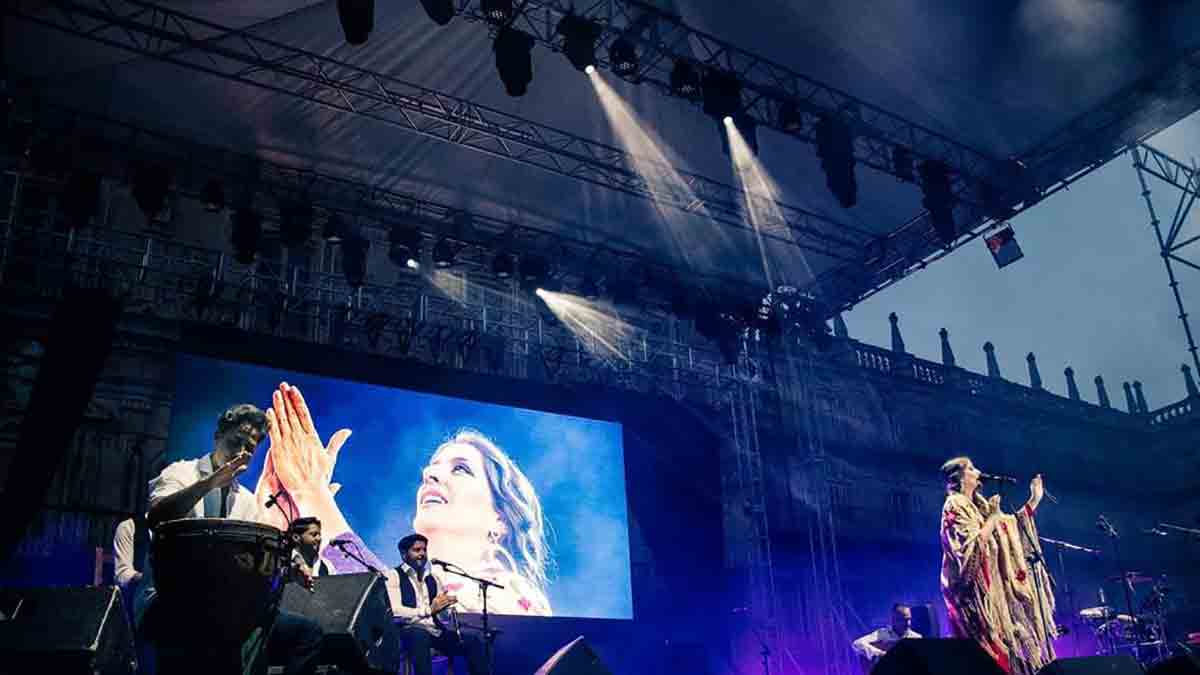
{"x": 239, "y": 56}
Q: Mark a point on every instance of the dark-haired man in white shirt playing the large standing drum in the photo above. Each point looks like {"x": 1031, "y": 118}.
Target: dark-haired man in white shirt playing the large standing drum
{"x": 208, "y": 488}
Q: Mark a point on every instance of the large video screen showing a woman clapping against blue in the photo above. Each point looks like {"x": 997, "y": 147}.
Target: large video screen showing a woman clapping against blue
{"x": 532, "y": 500}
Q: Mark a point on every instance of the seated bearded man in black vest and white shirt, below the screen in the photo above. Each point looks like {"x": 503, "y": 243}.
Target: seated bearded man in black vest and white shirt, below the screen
{"x": 424, "y": 608}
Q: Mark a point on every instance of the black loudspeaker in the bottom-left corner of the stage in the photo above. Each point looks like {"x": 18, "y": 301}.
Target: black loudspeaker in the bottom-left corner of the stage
{"x": 65, "y": 631}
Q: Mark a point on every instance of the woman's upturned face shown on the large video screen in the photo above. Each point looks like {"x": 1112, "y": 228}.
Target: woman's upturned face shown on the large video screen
{"x": 454, "y": 497}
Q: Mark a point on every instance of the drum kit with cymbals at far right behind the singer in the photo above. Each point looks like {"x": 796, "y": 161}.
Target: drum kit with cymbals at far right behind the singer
{"x": 1139, "y": 632}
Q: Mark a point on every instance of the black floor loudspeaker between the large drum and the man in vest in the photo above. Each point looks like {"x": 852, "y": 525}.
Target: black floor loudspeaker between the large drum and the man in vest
{"x": 356, "y": 614}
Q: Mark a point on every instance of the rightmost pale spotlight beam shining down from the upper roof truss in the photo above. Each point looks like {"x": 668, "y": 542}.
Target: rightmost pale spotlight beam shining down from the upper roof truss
{"x": 761, "y": 205}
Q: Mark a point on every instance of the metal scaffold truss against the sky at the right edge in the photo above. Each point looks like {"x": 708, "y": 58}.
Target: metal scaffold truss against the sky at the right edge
{"x": 1151, "y": 163}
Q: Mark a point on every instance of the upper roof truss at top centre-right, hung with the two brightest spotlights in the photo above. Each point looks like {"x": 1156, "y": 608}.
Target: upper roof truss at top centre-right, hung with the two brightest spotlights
{"x": 663, "y": 39}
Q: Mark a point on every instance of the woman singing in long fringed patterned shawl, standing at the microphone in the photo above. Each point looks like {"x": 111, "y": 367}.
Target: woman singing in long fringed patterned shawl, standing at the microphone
{"x": 994, "y": 594}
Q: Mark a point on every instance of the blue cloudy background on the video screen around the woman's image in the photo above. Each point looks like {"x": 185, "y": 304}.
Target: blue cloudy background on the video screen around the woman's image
{"x": 577, "y": 467}
